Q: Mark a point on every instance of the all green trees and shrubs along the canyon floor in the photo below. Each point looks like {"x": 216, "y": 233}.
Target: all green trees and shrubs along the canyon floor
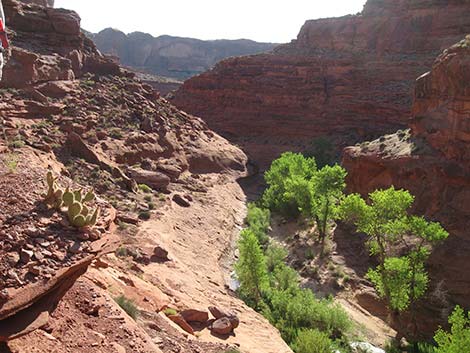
{"x": 398, "y": 241}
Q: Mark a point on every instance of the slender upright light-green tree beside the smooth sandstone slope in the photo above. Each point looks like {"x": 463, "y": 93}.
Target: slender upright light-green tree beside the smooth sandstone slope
{"x": 251, "y": 268}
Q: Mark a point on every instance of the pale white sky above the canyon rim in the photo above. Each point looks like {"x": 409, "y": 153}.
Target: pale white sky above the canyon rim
{"x": 261, "y": 20}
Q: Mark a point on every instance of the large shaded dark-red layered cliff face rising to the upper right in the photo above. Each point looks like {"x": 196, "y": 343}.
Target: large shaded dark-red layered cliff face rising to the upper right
{"x": 346, "y": 78}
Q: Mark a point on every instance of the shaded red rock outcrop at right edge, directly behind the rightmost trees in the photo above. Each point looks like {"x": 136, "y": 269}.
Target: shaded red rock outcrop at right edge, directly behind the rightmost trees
{"x": 432, "y": 161}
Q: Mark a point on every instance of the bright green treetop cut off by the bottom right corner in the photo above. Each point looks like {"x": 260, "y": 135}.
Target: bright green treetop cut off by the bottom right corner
{"x": 458, "y": 339}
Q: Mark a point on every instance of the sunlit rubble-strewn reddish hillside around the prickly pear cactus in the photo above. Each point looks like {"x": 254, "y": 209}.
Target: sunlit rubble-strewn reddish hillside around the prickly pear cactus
{"x": 166, "y": 187}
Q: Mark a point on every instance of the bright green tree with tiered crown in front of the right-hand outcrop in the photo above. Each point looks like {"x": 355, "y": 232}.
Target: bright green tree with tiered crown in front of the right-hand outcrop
{"x": 401, "y": 280}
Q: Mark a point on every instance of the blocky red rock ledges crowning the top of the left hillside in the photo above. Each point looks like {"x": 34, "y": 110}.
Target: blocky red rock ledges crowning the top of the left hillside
{"x": 60, "y": 51}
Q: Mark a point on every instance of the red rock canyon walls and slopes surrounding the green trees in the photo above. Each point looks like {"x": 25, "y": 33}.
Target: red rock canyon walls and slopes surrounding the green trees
{"x": 170, "y": 174}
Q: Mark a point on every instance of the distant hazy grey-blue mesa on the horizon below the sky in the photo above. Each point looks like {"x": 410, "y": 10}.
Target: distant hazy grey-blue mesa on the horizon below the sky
{"x": 174, "y": 57}
